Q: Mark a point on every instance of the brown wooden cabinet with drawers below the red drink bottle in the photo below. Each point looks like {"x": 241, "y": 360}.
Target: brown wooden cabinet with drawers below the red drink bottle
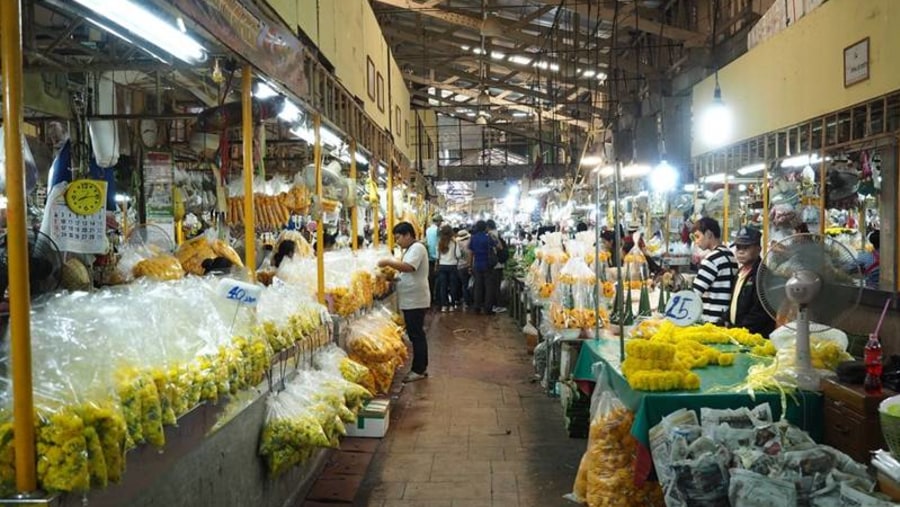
{"x": 851, "y": 419}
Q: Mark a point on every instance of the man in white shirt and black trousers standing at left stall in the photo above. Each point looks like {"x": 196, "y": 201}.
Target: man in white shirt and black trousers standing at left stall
{"x": 413, "y": 294}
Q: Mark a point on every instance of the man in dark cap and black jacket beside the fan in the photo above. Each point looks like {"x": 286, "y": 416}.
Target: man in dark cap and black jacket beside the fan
{"x": 746, "y": 309}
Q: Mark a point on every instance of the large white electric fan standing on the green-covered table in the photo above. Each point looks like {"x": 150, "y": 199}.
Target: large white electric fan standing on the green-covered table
{"x": 815, "y": 279}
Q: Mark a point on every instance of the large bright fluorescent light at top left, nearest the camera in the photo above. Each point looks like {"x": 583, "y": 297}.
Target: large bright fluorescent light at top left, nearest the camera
{"x": 146, "y": 25}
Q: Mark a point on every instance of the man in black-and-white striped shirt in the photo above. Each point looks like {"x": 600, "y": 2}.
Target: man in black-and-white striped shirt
{"x": 716, "y": 274}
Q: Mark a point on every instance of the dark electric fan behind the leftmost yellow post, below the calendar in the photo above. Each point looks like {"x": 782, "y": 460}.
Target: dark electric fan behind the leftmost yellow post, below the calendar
{"x": 44, "y": 264}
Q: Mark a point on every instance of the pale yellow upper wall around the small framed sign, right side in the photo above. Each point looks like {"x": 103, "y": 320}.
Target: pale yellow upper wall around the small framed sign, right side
{"x": 798, "y": 74}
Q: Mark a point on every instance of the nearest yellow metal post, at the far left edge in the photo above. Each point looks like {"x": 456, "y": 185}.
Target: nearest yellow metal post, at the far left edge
{"x": 19, "y": 293}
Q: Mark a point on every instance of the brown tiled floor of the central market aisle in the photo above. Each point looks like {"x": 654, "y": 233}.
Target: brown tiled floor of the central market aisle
{"x": 477, "y": 432}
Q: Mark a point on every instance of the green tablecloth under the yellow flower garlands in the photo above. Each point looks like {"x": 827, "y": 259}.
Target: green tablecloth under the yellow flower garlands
{"x": 804, "y": 410}
